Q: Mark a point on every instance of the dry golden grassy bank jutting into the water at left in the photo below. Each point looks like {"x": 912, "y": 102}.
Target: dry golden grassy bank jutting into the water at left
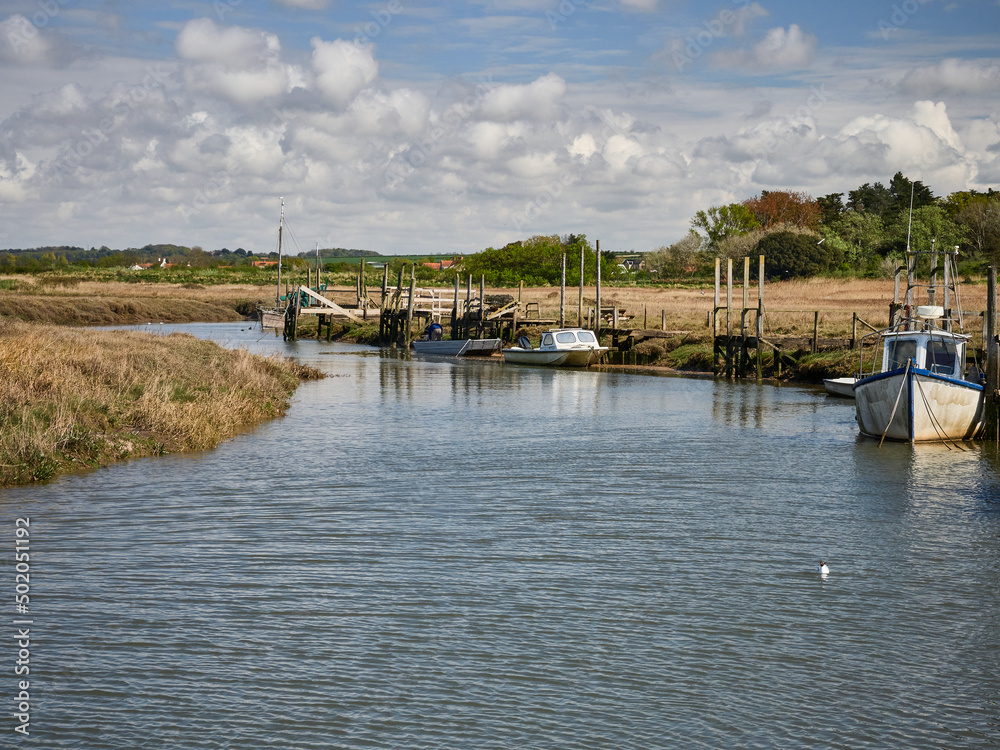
{"x": 73, "y": 398}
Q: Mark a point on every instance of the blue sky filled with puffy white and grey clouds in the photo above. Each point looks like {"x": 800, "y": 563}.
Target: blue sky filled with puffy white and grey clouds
{"x": 436, "y": 127}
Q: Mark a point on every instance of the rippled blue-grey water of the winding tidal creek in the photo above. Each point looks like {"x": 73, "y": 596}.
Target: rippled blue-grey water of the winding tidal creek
{"x": 443, "y": 554}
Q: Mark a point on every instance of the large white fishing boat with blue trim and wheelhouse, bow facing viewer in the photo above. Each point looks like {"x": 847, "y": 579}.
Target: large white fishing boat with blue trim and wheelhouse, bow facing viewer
{"x": 921, "y": 391}
